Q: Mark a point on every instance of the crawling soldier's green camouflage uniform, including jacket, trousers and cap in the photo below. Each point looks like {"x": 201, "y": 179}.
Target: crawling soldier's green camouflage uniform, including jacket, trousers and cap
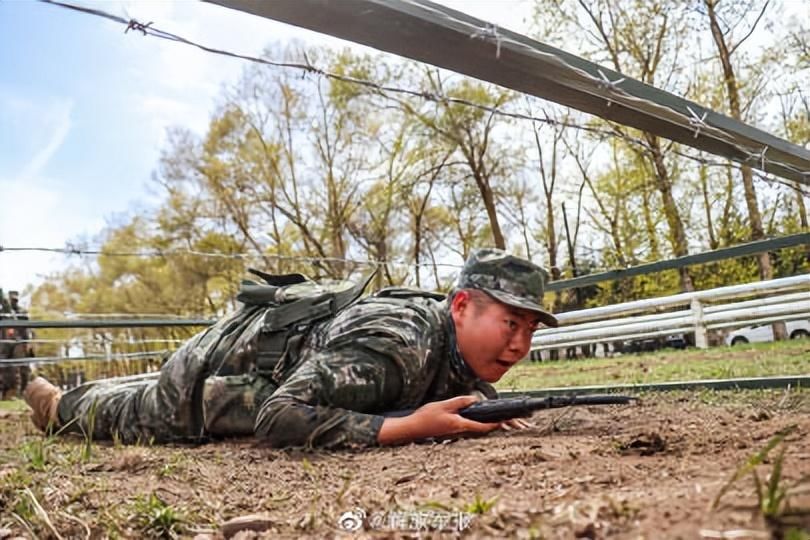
{"x": 380, "y": 354}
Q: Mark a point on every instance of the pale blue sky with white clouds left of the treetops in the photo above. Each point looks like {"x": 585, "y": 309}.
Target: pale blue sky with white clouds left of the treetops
{"x": 84, "y": 110}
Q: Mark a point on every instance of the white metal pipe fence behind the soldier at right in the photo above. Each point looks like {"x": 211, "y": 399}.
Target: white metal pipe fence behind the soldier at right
{"x": 695, "y": 313}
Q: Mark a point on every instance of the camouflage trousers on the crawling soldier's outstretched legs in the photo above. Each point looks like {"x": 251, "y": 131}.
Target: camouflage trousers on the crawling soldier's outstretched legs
{"x": 186, "y": 403}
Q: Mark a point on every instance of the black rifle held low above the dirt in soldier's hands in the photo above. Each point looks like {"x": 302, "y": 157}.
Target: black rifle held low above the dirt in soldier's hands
{"x": 500, "y": 410}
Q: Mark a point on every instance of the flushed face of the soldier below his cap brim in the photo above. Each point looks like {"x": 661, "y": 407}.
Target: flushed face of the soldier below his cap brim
{"x": 492, "y": 337}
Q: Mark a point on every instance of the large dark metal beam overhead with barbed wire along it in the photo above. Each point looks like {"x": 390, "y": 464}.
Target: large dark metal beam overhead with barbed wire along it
{"x": 443, "y": 37}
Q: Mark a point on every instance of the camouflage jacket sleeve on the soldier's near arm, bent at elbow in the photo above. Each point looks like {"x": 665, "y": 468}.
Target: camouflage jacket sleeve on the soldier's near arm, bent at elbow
{"x": 357, "y": 367}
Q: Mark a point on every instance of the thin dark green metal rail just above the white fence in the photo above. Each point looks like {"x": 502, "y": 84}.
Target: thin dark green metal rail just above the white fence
{"x": 740, "y": 250}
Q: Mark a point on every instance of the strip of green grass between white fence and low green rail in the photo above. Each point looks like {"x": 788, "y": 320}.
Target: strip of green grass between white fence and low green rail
{"x": 755, "y": 360}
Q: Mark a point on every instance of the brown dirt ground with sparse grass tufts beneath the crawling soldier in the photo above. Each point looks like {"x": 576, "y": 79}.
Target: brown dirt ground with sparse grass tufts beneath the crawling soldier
{"x": 640, "y": 471}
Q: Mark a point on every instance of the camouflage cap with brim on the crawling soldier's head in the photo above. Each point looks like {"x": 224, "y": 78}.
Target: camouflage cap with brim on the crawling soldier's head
{"x": 509, "y": 279}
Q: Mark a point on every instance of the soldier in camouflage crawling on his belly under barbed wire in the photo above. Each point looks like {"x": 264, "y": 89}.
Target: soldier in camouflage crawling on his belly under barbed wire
{"x": 333, "y": 376}
